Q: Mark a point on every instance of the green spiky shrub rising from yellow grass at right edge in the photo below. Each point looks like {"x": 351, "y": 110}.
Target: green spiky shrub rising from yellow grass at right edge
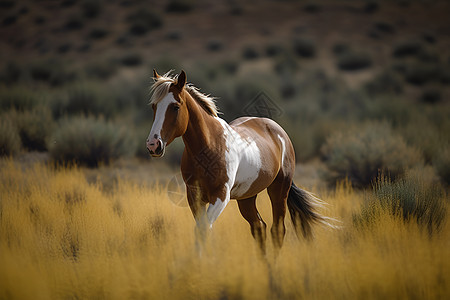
{"x": 411, "y": 199}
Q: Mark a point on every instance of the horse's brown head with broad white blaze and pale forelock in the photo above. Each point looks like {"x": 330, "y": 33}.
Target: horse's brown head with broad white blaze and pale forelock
{"x": 170, "y": 114}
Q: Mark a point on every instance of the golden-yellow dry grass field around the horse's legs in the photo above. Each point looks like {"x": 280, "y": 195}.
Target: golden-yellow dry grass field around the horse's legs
{"x": 63, "y": 238}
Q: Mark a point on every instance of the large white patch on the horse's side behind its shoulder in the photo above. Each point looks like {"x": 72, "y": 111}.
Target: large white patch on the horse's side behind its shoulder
{"x": 243, "y": 161}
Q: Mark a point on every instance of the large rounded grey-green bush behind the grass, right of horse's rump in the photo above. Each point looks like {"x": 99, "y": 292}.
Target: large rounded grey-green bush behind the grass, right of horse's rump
{"x": 362, "y": 152}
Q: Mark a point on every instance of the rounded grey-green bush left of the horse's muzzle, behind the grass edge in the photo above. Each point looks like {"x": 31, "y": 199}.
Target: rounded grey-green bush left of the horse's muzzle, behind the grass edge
{"x": 89, "y": 141}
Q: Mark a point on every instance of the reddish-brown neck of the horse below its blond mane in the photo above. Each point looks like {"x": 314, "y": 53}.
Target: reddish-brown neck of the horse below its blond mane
{"x": 201, "y": 132}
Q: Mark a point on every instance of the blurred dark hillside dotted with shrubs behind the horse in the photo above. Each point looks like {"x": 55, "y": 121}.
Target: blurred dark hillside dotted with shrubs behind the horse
{"x": 363, "y": 86}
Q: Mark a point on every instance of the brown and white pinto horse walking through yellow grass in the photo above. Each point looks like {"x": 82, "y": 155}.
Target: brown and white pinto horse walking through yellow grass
{"x": 224, "y": 161}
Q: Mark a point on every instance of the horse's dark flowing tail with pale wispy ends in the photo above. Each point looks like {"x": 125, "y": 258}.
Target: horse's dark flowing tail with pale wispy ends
{"x": 302, "y": 207}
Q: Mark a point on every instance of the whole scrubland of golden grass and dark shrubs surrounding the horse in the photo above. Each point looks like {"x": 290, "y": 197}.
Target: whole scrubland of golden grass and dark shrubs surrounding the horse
{"x": 361, "y": 87}
